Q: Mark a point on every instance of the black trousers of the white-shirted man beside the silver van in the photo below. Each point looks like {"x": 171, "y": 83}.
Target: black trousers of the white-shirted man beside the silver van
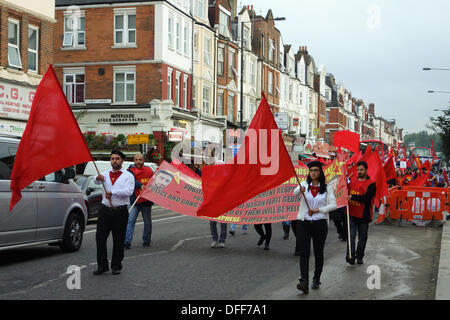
{"x": 114, "y": 221}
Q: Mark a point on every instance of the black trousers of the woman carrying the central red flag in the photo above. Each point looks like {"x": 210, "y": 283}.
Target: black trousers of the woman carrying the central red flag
{"x": 317, "y": 231}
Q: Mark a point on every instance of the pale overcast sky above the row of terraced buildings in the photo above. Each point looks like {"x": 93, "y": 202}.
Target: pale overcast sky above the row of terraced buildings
{"x": 376, "y": 48}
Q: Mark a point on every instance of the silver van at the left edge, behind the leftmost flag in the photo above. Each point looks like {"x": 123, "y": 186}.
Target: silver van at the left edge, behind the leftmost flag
{"x": 52, "y": 209}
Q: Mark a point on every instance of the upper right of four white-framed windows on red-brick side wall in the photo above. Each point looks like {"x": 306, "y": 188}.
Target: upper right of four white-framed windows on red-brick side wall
{"x": 125, "y": 28}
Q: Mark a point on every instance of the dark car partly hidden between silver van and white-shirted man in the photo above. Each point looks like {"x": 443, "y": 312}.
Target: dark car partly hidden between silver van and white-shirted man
{"x": 92, "y": 194}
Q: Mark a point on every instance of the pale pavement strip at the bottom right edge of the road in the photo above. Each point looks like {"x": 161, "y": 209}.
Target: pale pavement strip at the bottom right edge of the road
{"x": 443, "y": 280}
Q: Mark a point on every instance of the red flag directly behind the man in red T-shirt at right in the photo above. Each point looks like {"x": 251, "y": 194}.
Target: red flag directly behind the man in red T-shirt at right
{"x": 375, "y": 171}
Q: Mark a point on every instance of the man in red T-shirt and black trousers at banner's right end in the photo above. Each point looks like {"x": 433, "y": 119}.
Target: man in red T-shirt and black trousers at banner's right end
{"x": 362, "y": 190}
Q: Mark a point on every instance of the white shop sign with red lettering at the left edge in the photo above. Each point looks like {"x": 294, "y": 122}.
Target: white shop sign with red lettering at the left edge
{"x": 15, "y": 101}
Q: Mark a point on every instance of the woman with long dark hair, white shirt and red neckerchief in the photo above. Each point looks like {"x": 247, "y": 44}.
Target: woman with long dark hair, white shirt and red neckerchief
{"x": 312, "y": 222}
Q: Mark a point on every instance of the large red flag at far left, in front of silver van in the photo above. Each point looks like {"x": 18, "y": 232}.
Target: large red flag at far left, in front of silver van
{"x": 51, "y": 141}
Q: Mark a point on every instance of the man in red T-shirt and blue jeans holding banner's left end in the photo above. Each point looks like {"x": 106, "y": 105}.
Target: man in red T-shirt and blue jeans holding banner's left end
{"x": 142, "y": 175}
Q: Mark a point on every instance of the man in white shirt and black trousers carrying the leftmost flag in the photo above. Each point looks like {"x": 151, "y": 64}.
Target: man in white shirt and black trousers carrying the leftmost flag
{"x": 119, "y": 184}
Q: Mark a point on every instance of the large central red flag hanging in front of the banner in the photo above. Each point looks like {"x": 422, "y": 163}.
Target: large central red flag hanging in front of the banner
{"x": 227, "y": 186}
